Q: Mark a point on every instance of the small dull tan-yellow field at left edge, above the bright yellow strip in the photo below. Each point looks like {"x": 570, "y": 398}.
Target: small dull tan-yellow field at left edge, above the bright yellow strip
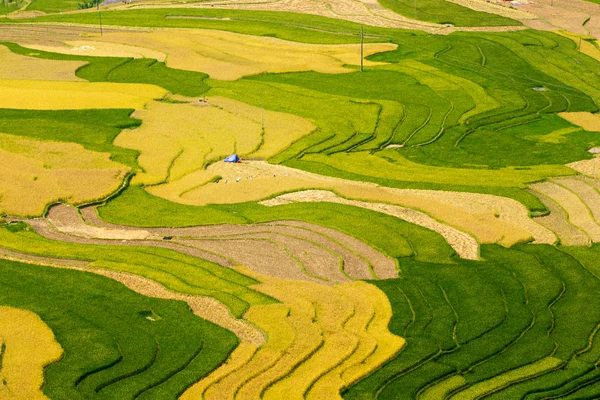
{"x": 16, "y": 66}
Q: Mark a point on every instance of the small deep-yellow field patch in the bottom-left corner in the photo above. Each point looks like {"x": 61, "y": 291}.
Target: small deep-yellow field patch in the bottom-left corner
{"x": 29, "y": 347}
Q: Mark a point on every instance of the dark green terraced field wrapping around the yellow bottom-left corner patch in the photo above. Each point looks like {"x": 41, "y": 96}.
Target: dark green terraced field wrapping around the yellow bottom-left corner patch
{"x": 111, "y": 350}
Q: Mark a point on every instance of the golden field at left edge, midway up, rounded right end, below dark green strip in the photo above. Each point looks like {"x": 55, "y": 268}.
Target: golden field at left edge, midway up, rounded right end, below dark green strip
{"x": 36, "y": 173}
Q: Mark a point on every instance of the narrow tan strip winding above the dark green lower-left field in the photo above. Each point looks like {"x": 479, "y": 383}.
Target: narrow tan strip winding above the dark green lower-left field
{"x": 204, "y": 307}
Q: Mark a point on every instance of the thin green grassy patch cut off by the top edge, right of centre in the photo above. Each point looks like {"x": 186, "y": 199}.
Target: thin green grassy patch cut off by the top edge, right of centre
{"x": 445, "y": 12}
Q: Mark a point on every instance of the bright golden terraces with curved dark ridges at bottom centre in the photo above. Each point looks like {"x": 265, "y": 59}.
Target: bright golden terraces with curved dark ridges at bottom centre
{"x": 321, "y": 339}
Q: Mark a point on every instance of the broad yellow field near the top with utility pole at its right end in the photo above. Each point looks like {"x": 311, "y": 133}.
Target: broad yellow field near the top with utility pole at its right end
{"x": 229, "y": 56}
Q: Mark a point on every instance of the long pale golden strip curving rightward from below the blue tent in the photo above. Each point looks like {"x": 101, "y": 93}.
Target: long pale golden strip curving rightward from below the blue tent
{"x": 506, "y": 222}
